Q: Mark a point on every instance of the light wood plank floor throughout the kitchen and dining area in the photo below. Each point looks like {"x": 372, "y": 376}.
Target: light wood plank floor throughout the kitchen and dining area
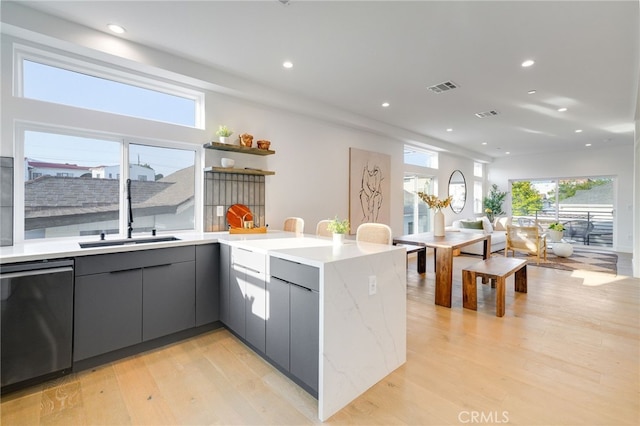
{"x": 565, "y": 353}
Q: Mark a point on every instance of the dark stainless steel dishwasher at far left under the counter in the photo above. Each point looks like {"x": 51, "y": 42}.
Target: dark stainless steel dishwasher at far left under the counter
{"x": 36, "y": 323}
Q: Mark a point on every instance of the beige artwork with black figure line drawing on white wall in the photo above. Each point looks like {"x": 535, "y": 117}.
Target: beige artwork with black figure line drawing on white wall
{"x": 369, "y": 188}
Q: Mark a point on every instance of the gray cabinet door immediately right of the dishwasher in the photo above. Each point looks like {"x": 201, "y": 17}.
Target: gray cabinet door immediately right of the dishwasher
{"x": 107, "y": 312}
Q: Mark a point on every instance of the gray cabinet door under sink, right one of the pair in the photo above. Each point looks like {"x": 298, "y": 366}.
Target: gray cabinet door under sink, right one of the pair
{"x": 168, "y": 299}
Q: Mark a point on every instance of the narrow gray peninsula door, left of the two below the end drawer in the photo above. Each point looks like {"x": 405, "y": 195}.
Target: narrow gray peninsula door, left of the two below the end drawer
{"x": 278, "y": 320}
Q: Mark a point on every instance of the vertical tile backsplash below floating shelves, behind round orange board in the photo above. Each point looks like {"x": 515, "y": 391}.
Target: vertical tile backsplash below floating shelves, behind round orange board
{"x": 226, "y": 189}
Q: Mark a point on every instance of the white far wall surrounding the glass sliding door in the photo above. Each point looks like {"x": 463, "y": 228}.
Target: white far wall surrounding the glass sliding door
{"x": 616, "y": 161}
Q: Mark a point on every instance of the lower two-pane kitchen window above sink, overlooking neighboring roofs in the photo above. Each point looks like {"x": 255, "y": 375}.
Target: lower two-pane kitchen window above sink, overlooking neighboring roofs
{"x": 73, "y": 187}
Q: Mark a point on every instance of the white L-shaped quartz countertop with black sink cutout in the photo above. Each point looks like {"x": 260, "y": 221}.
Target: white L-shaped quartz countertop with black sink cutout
{"x": 307, "y": 249}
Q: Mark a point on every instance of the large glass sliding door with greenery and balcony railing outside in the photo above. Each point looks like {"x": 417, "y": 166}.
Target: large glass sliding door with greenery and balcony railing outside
{"x": 583, "y": 205}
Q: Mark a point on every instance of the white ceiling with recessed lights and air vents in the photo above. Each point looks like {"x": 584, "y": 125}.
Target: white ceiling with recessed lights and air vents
{"x": 355, "y": 55}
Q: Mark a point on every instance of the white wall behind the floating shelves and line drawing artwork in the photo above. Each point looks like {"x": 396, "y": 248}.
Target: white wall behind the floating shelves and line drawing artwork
{"x": 311, "y": 161}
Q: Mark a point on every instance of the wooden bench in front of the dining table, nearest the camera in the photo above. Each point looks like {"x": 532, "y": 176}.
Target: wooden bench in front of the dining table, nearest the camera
{"x": 497, "y": 269}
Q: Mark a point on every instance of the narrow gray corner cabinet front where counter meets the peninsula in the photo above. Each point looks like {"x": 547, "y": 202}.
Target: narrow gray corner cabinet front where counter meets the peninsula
{"x": 207, "y": 284}
